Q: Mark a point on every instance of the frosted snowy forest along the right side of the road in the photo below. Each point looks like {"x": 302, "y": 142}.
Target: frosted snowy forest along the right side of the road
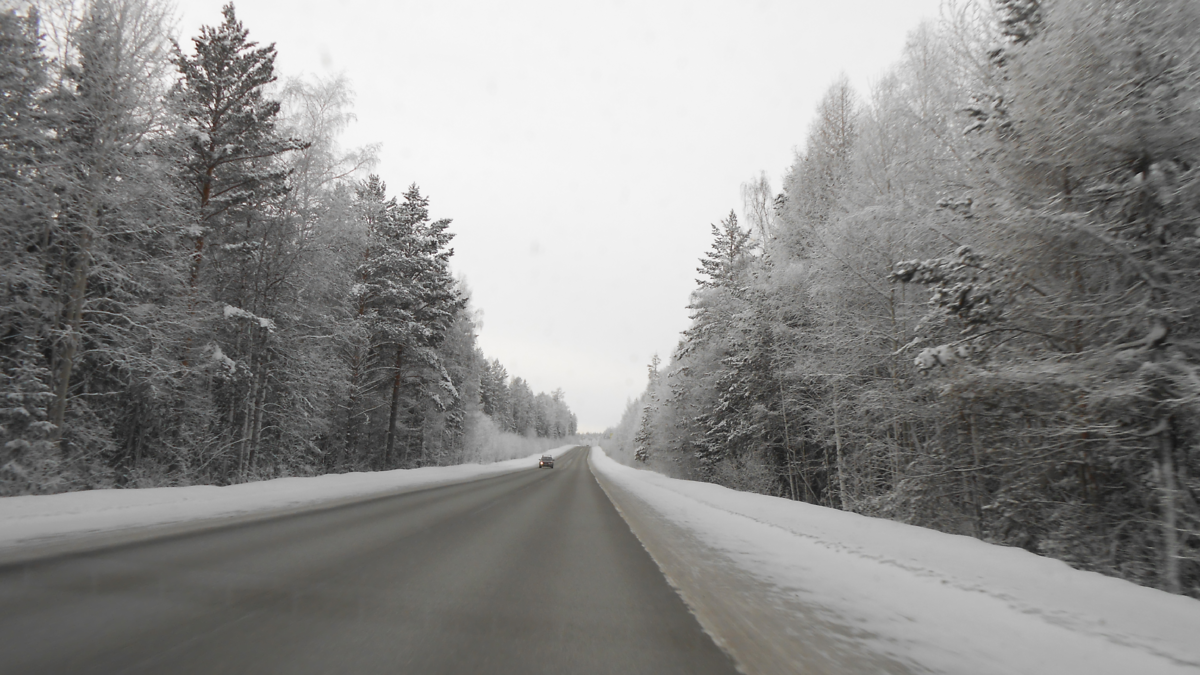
{"x": 974, "y": 303}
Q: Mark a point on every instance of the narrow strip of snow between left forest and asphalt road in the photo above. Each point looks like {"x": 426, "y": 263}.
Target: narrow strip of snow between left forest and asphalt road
{"x": 35, "y": 525}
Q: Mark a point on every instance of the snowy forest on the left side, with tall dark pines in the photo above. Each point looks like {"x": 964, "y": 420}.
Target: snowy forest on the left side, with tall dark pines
{"x": 200, "y": 285}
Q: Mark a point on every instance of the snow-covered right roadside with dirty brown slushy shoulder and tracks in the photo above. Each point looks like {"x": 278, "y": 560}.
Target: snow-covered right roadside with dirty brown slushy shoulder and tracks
{"x": 784, "y": 584}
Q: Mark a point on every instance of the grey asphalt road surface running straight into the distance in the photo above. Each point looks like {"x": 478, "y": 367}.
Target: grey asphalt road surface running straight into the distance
{"x": 524, "y": 574}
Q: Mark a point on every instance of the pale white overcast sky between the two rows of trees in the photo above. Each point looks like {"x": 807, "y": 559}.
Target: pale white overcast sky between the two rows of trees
{"x": 583, "y": 150}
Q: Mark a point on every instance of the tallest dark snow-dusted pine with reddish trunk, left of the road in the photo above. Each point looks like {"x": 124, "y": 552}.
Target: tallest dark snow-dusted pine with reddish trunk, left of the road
{"x": 247, "y": 244}
